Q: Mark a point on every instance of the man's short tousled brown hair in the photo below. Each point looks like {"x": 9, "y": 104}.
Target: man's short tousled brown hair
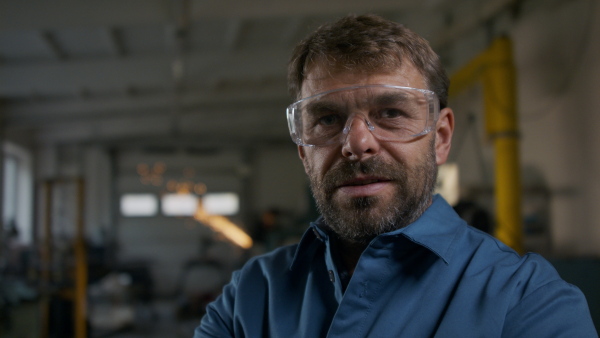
{"x": 366, "y": 43}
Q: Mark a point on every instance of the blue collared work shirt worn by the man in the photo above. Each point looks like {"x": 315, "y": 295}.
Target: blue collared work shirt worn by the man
{"x": 437, "y": 277}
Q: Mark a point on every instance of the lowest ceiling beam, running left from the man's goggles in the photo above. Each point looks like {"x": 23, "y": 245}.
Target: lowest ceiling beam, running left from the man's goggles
{"x": 223, "y": 126}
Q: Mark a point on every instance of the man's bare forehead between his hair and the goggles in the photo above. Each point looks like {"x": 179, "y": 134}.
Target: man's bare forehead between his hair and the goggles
{"x": 320, "y": 79}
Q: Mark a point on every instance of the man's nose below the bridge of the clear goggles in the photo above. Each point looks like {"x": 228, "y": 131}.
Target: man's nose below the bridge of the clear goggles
{"x": 360, "y": 143}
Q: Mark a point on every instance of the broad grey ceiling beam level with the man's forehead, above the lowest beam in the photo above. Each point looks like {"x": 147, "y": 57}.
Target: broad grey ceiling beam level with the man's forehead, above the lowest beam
{"x": 55, "y": 79}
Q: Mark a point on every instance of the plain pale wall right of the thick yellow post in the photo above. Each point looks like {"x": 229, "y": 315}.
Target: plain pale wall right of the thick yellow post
{"x": 557, "y": 55}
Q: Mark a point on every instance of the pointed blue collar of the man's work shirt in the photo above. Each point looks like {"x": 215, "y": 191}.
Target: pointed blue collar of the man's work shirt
{"x": 435, "y": 230}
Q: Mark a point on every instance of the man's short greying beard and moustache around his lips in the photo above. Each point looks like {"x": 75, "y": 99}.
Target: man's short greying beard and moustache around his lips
{"x": 360, "y": 219}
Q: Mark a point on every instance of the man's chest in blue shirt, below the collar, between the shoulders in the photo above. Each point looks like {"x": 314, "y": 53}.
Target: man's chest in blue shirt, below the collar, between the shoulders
{"x": 418, "y": 296}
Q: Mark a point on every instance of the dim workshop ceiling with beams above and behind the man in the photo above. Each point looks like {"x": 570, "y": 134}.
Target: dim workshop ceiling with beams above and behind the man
{"x": 177, "y": 71}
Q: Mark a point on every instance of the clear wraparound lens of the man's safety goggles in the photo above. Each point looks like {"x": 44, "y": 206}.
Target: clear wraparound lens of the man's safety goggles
{"x": 392, "y": 113}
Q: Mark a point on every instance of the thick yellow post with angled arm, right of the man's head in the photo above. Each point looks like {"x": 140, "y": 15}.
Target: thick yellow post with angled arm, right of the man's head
{"x": 495, "y": 68}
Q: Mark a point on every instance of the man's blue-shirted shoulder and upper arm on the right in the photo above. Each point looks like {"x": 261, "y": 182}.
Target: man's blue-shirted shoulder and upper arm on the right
{"x": 526, "y": 288}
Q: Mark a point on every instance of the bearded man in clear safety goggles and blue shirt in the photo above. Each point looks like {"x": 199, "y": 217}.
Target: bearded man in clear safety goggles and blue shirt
{"x": 387, "y": 258}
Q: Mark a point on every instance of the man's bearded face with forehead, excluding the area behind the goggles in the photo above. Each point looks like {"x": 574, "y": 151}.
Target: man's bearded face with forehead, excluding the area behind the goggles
{"x": 364, "y": 186}
